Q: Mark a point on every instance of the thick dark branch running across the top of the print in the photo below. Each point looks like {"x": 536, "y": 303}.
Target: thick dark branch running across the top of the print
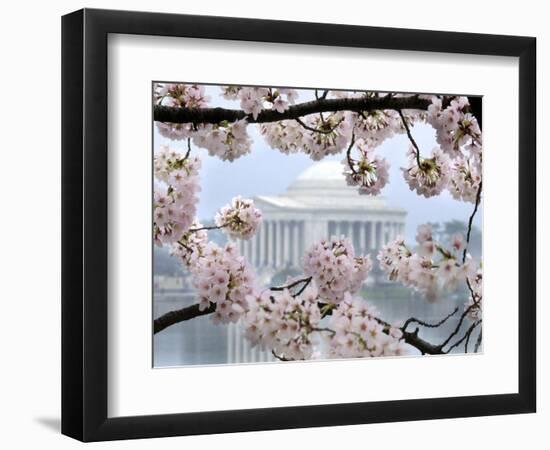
{"x": 217, "y": 115}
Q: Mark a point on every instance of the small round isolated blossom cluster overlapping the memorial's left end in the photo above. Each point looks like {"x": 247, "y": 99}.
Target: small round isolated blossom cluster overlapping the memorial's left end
{"x": 240, "y": 219}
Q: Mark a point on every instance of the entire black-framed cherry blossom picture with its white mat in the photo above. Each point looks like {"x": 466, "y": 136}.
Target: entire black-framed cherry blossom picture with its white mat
{"x": 274, "y": 225}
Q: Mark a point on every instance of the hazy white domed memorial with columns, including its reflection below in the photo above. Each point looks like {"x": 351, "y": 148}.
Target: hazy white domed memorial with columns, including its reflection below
{"x": 317, "y": 205}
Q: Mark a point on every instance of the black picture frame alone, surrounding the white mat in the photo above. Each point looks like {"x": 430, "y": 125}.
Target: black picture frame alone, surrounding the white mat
{"x": 84, "y": 224}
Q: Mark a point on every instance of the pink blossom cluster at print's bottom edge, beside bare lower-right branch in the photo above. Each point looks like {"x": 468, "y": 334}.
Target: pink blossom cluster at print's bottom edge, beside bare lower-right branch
{"x": 358, "y": 332}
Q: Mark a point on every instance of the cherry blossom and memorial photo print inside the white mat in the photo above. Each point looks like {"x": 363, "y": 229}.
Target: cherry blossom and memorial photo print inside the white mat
{"x": 302, "y": 224}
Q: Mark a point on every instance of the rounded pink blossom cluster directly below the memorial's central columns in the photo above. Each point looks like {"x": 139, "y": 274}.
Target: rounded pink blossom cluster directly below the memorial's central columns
{"x": 335, "y": 268}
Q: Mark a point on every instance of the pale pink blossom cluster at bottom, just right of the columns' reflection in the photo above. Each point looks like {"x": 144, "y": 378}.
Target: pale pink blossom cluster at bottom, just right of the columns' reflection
{"x": 284, "y": 323}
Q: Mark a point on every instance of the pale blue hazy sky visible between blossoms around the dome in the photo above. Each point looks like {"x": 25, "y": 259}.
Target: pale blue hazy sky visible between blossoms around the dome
{"x": 266, "y": 171}
